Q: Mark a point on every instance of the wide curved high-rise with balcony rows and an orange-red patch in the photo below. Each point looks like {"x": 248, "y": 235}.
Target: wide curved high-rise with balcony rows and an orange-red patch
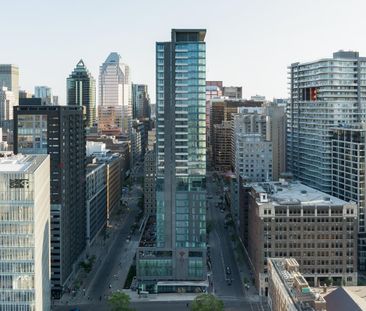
{"x": 324, "y": 94}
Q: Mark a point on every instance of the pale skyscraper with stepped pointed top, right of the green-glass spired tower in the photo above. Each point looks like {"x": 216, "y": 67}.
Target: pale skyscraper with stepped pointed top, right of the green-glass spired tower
{"x": 115, "y": 102}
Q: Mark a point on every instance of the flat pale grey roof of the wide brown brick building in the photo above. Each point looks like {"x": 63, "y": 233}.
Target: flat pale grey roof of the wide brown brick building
{"x": 294, "y": 192}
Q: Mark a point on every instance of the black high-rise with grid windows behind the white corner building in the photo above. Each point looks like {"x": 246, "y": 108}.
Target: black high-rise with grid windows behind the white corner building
{"x": 59, "y": 132}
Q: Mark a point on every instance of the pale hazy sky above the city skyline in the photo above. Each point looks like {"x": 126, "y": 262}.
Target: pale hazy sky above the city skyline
{"x": 250, "y": 43}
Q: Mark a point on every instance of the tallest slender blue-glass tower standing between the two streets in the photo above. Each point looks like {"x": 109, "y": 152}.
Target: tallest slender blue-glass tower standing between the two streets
{"x": 181, "y": 164}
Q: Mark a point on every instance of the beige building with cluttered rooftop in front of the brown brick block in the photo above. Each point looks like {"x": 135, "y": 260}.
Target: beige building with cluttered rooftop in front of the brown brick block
{"x": 288, "y": 290}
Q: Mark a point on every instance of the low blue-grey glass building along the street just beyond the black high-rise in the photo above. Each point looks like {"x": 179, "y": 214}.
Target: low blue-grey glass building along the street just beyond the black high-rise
{"x": 96, "y": 200}
